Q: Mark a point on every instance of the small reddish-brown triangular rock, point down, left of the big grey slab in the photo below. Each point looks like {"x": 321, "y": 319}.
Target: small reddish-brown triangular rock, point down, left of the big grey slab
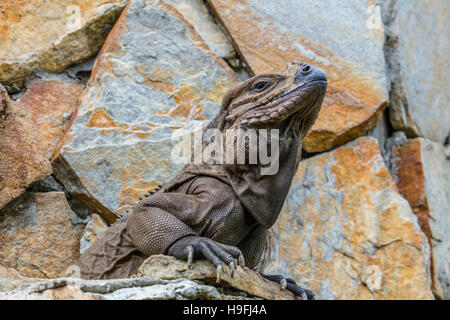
{"x": 51, "y": 105}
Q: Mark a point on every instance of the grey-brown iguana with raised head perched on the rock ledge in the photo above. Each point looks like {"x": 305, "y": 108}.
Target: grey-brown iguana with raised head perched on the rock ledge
{"x": 221, "y": 213}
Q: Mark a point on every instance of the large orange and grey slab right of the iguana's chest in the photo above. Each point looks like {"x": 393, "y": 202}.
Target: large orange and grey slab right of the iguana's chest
{"x": 346, "y": 233}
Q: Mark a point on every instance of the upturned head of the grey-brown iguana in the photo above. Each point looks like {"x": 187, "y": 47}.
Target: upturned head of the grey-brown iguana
{"x": 273, "y": 100}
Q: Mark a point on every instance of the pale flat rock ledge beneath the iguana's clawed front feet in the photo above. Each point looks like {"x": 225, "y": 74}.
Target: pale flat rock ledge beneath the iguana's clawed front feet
{"x": 159, "y": 278}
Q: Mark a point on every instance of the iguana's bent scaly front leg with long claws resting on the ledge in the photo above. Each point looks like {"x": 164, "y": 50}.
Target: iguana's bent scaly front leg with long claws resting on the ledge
{"x": 155, "y": 227}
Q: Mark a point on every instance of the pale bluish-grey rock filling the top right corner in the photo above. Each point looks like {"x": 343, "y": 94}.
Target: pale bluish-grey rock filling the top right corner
{"x": 417, "y": 58}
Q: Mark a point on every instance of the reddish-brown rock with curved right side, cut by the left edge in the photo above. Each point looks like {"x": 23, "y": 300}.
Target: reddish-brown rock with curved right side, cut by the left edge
{"x": 22, "y": 160}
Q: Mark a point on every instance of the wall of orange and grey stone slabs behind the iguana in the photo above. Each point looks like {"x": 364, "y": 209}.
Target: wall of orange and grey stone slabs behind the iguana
{"x": 92, "y": 91}
